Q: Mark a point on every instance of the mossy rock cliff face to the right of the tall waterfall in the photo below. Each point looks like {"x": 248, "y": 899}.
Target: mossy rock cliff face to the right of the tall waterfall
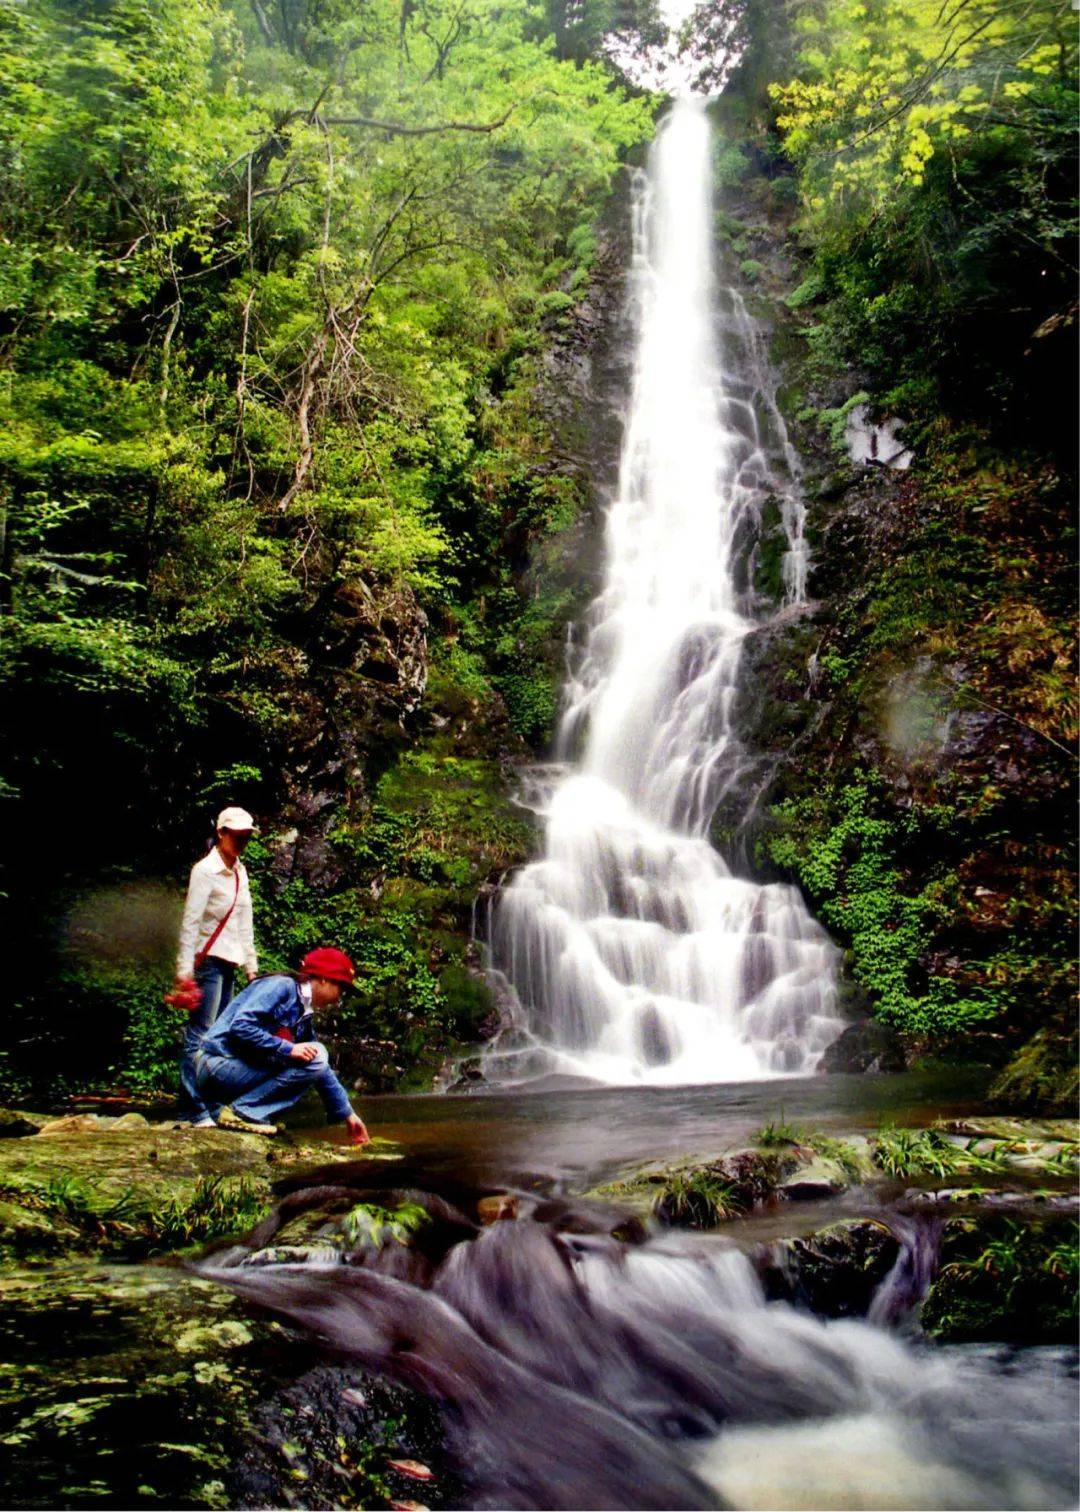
{"x": 914, "y": 772}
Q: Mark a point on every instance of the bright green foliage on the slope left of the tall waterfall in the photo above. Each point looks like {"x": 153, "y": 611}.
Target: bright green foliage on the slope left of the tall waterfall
{"x": 279, "y": 283}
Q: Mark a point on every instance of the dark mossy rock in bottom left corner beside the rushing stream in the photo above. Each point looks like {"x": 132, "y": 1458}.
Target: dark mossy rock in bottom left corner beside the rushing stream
{"x": 143, "y": 1387}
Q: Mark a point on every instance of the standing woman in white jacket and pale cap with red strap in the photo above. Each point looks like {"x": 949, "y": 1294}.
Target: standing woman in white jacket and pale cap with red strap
{"x": 216, "y": 938}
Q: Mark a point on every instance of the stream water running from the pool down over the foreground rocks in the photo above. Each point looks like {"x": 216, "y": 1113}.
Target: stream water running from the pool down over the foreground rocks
{"x": 585, "y": 1362}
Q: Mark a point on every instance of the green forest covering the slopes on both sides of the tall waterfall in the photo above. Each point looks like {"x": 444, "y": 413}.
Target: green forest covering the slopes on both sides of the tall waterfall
{"x": 291, "y": 515}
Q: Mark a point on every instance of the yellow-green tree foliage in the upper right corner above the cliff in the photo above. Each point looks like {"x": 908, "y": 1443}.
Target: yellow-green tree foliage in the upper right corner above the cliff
{"x": 936, "y": 160}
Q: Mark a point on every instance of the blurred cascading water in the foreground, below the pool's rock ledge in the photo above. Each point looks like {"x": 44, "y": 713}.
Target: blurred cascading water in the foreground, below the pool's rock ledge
{"x": 580, "y": 1372}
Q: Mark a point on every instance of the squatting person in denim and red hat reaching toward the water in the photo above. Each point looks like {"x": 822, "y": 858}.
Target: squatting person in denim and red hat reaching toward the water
{"x": 262, "y": 1056}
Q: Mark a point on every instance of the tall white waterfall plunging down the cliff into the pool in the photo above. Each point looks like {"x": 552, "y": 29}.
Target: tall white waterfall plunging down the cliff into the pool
{"x": 630, "y": 949}
